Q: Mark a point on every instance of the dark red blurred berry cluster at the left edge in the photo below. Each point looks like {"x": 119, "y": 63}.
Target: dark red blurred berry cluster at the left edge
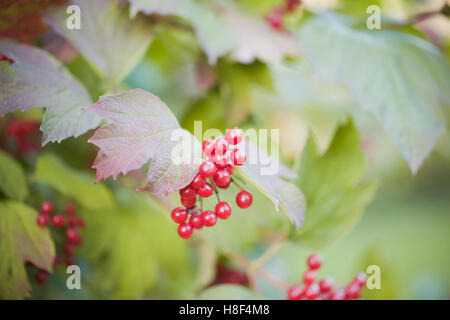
{"x": 21, "y": 137}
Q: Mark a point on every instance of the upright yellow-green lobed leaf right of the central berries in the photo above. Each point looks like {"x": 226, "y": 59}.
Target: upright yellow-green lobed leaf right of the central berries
{"x": 335, "y": 194}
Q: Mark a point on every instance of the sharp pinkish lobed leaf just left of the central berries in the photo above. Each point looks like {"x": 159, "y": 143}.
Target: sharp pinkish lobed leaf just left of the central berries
{"x": 143, "y": 128}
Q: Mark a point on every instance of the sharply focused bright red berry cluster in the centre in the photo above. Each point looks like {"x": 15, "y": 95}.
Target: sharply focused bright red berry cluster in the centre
{"x": 218, "y": 167}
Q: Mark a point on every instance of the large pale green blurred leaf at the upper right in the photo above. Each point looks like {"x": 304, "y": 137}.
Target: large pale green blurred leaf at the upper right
{"x": 400, "y": 78}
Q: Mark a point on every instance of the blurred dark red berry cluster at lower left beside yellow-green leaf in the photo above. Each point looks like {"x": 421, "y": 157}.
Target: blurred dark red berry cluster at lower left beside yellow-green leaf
{"x": 70, "y": 222}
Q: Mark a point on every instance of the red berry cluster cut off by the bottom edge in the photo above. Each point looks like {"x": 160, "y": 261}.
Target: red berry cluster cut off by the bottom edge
{"x": 325, "y": 289}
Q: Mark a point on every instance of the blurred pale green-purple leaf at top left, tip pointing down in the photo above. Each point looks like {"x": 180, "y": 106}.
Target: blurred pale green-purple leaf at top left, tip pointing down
{"x": 111, "y": 41}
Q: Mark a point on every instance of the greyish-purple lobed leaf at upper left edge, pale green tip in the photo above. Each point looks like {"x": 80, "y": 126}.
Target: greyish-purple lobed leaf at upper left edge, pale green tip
{"x": 36, "y": 79}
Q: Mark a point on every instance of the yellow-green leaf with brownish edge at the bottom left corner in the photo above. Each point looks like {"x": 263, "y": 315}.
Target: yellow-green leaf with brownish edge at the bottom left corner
{"x": 21, "y": 240}
